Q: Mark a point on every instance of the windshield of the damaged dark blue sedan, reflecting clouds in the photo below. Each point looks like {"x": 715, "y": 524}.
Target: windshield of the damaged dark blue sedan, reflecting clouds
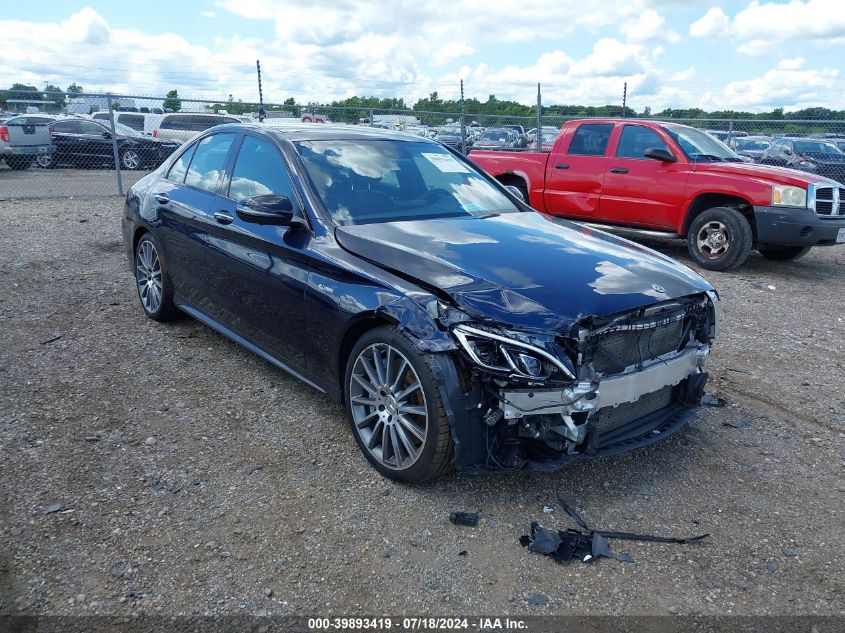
{"x": 366, "y": 181}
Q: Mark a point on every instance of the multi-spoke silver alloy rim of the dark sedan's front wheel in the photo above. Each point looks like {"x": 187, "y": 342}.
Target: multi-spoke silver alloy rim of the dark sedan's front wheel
{"x": 388, "y": 406}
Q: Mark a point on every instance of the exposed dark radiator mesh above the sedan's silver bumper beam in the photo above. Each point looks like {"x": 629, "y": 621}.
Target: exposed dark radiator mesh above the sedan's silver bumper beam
{"x": 618, "y": 350}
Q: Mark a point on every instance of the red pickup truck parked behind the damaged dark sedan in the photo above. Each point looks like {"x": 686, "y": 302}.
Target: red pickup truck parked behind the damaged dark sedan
{"x": 657, "y": 179}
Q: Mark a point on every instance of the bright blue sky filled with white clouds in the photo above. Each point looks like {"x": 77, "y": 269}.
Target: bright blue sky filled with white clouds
{"x": 751, "y": 55}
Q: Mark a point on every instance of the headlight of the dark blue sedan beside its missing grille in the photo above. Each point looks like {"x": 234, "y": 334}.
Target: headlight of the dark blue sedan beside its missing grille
{"x": 500, "y": 353}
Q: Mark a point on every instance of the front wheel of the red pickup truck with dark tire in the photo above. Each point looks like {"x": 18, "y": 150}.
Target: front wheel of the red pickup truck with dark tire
{"x": 719, "y": 238}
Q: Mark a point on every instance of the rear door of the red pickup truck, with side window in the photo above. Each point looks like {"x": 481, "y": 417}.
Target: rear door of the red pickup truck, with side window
{"x": 575, "y": 173}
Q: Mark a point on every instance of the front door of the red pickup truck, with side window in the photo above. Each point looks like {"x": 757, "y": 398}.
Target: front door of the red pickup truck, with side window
{"x": 639, "y": 190}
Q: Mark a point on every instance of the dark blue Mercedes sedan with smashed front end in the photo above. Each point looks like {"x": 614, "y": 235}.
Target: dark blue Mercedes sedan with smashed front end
{"x": 458, "y": 326}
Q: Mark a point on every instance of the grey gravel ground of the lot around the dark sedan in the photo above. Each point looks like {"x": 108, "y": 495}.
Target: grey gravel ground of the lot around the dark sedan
{"x": 164, "y": 470}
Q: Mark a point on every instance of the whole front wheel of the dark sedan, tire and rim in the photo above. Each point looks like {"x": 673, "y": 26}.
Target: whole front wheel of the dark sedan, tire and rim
{"x": 395, "y": 408}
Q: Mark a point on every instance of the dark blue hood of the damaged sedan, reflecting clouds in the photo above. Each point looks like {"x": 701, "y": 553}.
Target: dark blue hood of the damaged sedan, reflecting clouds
{"x": 527, "y": 270}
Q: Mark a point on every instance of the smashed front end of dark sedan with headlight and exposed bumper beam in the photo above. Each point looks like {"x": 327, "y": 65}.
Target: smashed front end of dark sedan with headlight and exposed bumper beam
{"x": 606, "y": 386}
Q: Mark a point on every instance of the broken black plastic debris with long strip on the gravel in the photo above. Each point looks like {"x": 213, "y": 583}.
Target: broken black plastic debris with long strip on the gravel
{"x": 564, "y": 545}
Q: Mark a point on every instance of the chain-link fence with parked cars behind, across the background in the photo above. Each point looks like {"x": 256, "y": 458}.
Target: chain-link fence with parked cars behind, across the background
{"x": 99, "y": 145}
